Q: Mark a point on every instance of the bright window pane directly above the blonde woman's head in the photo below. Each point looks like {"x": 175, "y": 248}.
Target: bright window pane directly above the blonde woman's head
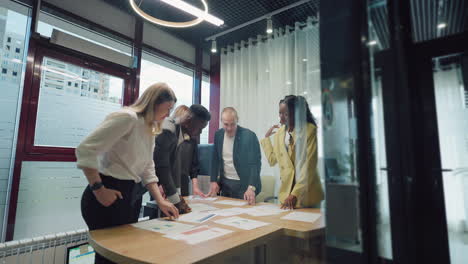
{"x": 180, "y": 79}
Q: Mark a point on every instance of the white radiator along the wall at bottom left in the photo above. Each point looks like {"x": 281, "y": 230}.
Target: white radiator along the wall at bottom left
{"x": 50, "y": 249}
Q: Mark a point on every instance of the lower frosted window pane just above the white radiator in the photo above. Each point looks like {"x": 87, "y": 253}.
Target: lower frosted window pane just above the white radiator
{"x": 42, "y": 205}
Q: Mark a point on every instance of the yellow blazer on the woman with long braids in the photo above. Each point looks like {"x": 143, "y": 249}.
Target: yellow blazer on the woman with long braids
{"x": 308, "y": 188}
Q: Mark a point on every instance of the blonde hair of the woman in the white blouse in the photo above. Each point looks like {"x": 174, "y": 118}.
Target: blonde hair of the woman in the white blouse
{"x": 145, "y": 105}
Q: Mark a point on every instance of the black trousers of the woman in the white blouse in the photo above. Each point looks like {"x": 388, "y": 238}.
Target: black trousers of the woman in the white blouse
{"x": 121, "y": 212}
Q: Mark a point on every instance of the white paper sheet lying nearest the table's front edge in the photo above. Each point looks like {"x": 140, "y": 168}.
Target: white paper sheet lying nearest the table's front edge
{"x": 199, "y": 234}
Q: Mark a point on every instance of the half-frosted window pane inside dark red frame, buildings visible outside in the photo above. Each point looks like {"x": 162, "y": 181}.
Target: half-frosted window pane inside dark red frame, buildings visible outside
{"x": 62, "y": 121}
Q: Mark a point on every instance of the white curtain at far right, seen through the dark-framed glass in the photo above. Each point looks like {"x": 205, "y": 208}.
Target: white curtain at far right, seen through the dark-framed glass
{"x": 452, "y": 119}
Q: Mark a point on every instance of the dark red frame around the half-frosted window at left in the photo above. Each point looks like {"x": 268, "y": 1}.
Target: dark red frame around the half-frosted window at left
{"x": 46, "y": 49}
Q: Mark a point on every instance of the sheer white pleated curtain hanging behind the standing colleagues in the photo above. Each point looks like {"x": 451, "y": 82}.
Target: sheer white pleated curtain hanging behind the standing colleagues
{"x": 256, "y": 77}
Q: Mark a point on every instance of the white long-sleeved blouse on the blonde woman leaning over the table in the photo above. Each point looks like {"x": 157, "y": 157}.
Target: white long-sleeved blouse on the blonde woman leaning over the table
{"x": 121, "y": 147}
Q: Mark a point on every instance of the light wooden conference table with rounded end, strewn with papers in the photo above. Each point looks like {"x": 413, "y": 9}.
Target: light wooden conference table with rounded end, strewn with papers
{"x": 282, "y": 241}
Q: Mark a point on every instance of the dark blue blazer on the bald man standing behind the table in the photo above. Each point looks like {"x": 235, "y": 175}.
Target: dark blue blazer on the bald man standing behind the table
{"x": 246, "y": 155}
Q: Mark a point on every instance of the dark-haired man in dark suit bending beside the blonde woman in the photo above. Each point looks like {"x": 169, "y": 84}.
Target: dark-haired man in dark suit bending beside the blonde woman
{"x": 176, "y": 153}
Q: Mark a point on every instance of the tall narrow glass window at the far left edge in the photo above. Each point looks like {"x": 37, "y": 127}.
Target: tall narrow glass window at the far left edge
{"x": 13, "y": 27}
